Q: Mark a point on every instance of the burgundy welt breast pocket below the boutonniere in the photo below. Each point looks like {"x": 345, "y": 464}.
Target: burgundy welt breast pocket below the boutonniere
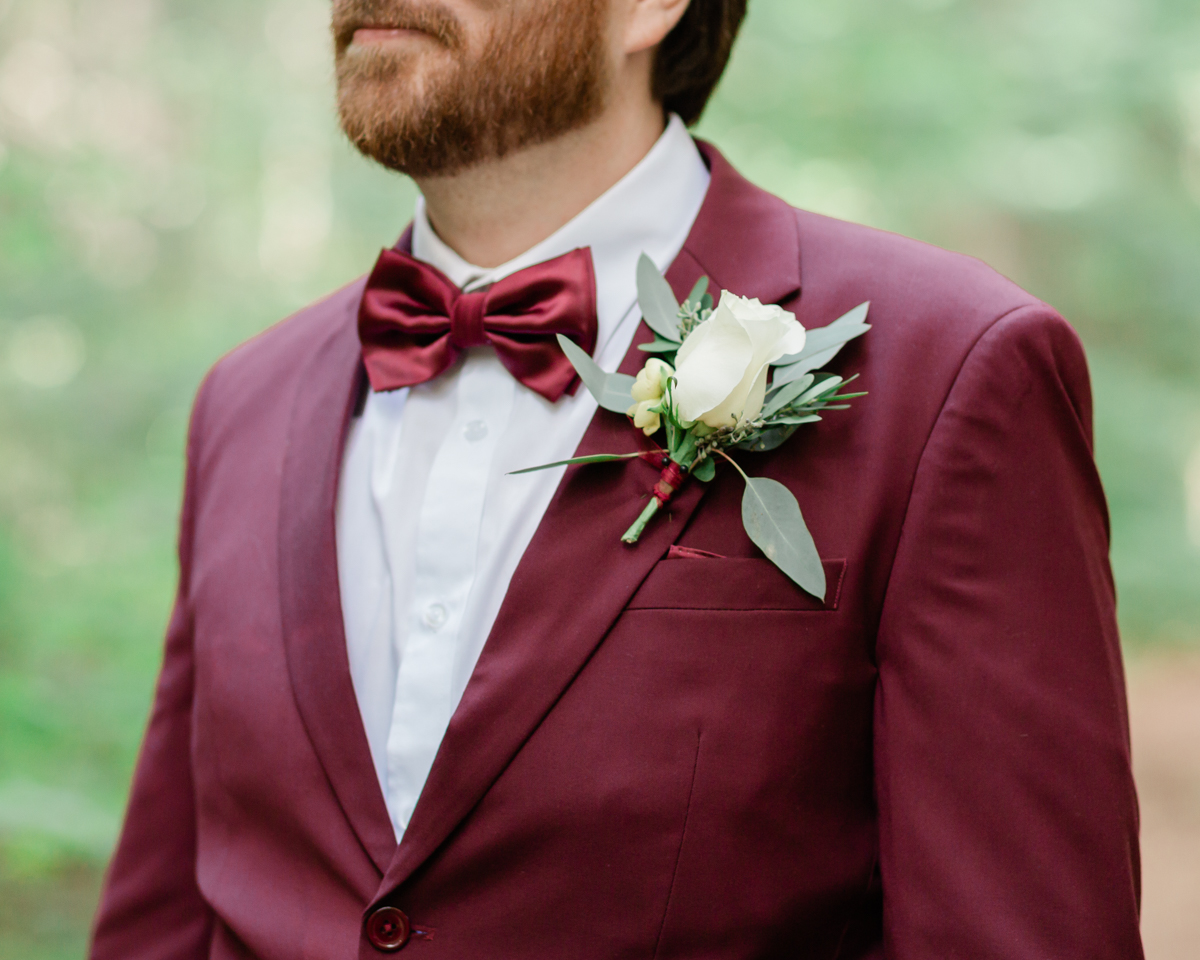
{"x": 731, "y": 584}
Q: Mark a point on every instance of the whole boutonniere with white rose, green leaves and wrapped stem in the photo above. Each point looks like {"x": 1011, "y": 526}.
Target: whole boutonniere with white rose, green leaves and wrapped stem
{"x": 739, "y": 375}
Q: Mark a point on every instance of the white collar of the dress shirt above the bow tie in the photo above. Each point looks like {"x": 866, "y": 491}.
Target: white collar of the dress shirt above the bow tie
{"x": 650, "y": 211}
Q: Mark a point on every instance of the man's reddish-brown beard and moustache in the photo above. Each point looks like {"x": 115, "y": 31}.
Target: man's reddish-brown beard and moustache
{"x": 541, "y": 73}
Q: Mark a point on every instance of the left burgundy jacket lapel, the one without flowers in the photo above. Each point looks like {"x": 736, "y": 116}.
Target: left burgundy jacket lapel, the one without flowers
{"x": 314, "y": 631}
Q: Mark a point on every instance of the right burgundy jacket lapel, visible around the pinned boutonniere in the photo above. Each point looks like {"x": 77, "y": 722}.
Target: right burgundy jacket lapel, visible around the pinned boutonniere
{"x": 577, "y": 577}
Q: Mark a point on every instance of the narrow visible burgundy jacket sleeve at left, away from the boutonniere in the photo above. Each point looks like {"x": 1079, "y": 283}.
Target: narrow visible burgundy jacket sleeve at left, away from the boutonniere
{"x": 152, "y": 908}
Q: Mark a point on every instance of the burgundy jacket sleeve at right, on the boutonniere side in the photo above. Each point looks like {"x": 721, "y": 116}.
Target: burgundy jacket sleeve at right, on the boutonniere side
{"x": 1009, "y": 818}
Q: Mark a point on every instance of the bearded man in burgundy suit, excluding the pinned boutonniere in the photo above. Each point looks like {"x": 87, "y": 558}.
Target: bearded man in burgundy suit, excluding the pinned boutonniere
{"x": 412, "y": 703}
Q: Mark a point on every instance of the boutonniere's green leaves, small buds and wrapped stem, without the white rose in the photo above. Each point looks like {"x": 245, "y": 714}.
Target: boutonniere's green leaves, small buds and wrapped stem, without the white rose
{"x": 799, "y": 394}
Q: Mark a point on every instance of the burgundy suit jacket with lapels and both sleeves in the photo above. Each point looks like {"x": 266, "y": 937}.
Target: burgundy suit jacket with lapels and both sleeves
{"x": 665, "y": 757}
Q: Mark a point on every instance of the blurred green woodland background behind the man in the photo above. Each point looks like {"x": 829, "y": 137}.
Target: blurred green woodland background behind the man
{"x": 172, "y": 182}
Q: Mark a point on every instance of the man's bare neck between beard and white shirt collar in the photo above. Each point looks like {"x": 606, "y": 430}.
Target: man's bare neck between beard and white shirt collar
{"x": 497, "y": 211}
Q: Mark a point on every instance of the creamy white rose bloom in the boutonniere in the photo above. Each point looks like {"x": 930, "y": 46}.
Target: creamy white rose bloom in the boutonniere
{"x": 722, "y": 368}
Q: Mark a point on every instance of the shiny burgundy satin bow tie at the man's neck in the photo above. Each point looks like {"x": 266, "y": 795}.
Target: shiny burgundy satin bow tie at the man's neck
{"x": 415, "y": 322}
